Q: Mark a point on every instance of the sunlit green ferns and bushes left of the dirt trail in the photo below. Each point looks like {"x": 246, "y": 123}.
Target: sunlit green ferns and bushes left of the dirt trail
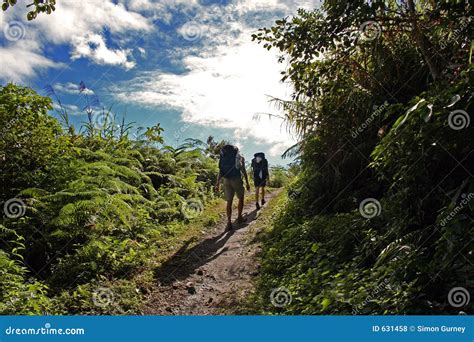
{"x": 87, "y": 212}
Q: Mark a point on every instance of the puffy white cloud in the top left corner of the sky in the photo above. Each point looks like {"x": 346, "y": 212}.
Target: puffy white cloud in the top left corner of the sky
{"x": 79, "y": 24}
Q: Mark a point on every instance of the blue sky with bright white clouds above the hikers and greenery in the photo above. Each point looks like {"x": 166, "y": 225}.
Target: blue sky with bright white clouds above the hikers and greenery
{"x": 189, "y": 65}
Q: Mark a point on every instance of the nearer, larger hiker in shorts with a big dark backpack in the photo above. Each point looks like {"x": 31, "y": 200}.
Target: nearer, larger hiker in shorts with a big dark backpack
{"x": 231, "y": 168}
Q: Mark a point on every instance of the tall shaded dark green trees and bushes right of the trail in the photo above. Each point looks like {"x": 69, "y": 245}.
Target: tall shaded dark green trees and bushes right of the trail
{"x": 379, "y": 220}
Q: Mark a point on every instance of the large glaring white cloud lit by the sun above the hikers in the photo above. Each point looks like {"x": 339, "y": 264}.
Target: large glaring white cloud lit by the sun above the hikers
{"x": 222, "y": 90}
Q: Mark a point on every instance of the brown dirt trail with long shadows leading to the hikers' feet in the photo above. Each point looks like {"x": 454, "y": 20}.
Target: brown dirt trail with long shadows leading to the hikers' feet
{"x": 214, "y": 276}
